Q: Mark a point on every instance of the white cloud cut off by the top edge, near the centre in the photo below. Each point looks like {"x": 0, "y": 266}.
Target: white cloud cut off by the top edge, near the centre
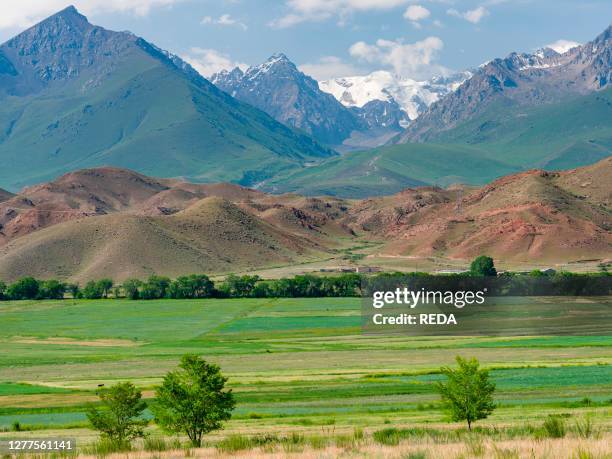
{"x": 320, "y": 10}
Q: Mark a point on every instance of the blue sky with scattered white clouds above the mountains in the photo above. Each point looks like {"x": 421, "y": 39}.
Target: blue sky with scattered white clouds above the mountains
{"x": 329, "y": 38}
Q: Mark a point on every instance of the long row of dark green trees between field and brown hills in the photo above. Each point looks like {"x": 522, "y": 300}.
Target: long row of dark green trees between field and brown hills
{"x": 482, "y": 274}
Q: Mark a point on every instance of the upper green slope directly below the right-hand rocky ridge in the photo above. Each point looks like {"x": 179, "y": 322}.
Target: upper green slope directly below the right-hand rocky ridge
{"x": 574, "y": 132}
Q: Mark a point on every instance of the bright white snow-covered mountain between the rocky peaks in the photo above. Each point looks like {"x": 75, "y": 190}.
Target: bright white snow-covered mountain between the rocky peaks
{"x": 412, "y": 96}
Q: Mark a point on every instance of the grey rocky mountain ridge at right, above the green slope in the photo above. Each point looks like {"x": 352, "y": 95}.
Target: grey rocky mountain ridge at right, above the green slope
{"x": 523, "y": 80}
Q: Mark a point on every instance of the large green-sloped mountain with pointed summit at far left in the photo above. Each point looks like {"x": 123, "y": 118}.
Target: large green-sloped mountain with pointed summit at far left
{"x": 109, "y": 98}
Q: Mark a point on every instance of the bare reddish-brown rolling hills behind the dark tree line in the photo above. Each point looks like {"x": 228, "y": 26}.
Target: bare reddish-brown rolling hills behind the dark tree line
{"x": 75, "y": 228}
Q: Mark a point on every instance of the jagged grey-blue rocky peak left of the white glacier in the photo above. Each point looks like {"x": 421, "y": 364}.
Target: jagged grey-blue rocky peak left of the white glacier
{"x": 291, "y": 97}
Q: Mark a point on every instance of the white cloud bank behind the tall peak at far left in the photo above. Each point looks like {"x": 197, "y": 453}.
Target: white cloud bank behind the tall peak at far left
{"x": 24, "y": 13}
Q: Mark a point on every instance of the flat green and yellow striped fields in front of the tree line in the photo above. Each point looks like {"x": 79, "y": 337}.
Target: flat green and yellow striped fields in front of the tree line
{"x": 307, "y": 382}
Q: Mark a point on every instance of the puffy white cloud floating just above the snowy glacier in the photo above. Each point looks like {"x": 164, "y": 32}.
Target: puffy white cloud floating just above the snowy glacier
{"x": 414, "y": 60}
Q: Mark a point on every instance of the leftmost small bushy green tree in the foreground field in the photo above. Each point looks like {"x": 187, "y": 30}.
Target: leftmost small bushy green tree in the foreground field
{"x": 120, "y": 419}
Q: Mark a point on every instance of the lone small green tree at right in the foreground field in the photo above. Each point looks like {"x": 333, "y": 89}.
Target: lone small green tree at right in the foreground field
{"x": 468, "y": 393}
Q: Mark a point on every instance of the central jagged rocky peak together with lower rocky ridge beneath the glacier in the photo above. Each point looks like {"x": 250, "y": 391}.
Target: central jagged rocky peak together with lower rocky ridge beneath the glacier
{"x": 297, "y": 100}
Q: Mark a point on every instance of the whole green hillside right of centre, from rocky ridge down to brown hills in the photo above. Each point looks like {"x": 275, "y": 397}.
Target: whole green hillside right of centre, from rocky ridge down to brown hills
{"x": 505, "y": 139}
